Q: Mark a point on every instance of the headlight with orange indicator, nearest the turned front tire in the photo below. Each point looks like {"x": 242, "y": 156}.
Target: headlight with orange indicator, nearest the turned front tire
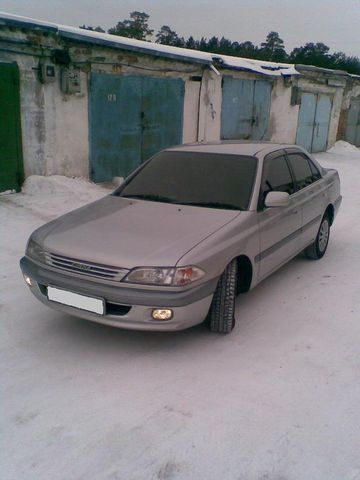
{"x": 164, "y": 275}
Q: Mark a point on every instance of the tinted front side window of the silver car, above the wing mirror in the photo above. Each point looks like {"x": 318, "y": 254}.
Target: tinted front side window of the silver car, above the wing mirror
{"x": 276, "y": 178}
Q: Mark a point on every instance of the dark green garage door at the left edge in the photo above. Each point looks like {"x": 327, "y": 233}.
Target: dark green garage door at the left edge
{"x": 11, "y": 167}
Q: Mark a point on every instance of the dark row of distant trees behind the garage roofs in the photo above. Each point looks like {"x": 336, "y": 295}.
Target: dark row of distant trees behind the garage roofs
{"x": 272, "y": 49}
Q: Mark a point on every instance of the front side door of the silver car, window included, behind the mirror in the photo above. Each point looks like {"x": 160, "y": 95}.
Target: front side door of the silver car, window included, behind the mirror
{"x": 279, "y": 227}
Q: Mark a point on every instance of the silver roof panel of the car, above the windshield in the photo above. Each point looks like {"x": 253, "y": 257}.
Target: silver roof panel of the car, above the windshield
{"x": 231, "y": 147}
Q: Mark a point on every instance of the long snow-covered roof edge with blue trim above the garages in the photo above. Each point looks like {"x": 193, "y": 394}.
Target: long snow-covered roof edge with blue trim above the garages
{"x": 183, "y": 54}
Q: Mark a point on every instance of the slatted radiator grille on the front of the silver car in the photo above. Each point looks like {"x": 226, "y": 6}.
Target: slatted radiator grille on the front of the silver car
{"x": 85, "y": 268}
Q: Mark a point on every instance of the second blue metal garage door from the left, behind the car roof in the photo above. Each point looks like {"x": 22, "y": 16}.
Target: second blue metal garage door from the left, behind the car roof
{"x": 245, "y": 109}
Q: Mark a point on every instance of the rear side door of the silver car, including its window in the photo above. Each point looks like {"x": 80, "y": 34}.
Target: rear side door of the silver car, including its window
{"x": 310, "y": 195}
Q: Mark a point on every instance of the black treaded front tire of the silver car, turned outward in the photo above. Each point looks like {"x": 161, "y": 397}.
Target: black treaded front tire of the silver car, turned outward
{"x": 222, "y": 309}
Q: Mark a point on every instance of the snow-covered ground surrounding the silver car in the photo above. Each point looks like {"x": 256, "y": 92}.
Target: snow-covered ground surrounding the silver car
{"x": 278, "y": 399}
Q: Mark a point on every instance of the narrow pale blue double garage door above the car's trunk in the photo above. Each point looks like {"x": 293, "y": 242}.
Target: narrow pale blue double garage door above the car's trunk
{"x": 314, "y": 121}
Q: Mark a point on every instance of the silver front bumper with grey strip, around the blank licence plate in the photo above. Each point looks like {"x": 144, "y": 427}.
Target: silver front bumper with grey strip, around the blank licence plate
{"x": 126, "y": 307}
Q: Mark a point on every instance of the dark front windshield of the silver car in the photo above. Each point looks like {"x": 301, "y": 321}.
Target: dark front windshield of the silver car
{"x": 201, "y": 179}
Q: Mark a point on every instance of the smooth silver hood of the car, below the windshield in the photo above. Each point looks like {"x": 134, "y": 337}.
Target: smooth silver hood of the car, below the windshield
{"x": 128, "y": 233}
